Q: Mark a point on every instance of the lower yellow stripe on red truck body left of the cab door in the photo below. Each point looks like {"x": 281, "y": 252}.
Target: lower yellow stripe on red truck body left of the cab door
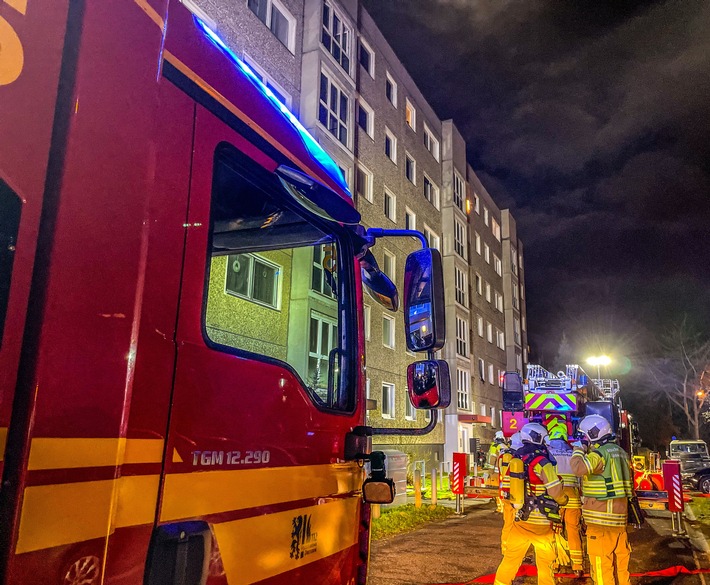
{"x": 53, "y": 515}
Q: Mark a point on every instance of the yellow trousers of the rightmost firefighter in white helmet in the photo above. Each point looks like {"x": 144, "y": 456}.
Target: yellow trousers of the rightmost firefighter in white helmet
{"x": 609, "y": 551}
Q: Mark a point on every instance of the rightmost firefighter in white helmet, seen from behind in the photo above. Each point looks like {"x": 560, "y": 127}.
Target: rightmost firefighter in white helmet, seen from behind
{"x": 606, "y": 487}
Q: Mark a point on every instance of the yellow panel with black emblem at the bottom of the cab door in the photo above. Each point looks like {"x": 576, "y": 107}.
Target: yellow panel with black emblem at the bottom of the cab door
{"x": 257, "y": 548}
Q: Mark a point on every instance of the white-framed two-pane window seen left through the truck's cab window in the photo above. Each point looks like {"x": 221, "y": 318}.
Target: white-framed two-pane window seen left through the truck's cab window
{"x": 253, "y": 278}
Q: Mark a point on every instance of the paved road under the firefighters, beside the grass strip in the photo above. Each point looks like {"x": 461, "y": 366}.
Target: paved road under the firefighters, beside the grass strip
{"x": 459, "y": 549}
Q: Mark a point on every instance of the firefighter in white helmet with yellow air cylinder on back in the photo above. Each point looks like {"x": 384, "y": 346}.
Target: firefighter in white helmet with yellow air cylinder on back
{"x": 534, "y": 526}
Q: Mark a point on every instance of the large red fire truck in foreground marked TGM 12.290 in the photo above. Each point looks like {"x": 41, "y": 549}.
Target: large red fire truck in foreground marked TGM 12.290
{"x": 181, "y": 341}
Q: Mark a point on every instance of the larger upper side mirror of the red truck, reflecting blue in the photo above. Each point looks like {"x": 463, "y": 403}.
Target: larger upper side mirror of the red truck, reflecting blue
{"x": 425, "y": 328}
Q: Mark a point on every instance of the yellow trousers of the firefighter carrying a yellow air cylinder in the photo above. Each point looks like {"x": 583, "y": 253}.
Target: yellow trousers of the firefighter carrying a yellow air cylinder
{"x": 520, "y": 537}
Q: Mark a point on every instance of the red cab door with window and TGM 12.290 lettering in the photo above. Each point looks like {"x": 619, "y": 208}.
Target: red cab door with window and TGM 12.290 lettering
{"x": 254, "y": 475}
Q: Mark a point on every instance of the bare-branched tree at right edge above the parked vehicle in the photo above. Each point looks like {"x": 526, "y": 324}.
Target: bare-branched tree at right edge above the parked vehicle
{"x": 682, "y": 373}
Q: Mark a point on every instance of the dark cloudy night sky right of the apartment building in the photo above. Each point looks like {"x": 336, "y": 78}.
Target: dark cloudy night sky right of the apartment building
{"x": 591, "y": 121}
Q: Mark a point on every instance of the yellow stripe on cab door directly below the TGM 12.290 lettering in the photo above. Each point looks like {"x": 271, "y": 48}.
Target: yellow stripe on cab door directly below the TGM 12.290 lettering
{"x": 188, "y": 495}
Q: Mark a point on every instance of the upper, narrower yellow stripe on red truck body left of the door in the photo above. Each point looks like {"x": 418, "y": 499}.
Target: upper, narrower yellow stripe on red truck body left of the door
{"x": 72, "y": 453}
